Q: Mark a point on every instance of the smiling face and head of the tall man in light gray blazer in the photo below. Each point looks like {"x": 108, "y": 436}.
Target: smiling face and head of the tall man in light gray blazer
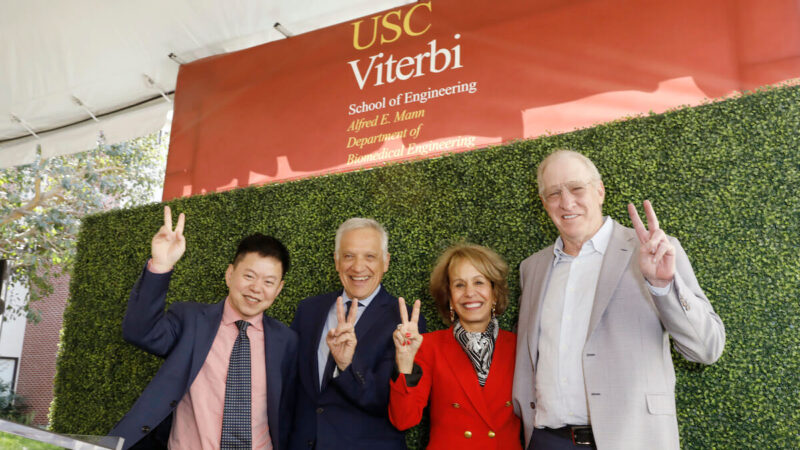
{"x": 573, "y": 199}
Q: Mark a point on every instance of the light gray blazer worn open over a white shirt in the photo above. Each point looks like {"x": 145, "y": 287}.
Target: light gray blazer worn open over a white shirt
{"x": 627, "y": 365}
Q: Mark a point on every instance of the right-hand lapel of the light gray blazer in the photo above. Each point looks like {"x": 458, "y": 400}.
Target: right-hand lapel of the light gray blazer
{"x": 618, "y": 255}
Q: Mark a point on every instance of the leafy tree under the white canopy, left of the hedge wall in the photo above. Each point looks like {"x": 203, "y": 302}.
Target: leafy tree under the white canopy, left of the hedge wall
{"x": 41, "y": 205}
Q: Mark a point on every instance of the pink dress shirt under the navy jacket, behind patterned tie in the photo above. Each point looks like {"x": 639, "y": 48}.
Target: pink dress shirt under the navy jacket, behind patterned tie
{"x": 197, "y": 422}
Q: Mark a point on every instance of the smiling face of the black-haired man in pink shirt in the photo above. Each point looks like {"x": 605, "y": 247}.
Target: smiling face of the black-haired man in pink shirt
{"x": 253, "y": 283}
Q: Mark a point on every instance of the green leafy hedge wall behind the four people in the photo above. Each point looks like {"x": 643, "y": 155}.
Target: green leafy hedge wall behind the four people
{"x": 723, "y": 178}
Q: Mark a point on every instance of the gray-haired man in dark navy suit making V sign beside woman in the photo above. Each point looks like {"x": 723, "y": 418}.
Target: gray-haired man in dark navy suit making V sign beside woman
{"x": 346, "y": 358}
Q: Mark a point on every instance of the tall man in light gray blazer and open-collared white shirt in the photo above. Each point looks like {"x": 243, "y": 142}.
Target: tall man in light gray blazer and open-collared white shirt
{"x": 597, "y": 311}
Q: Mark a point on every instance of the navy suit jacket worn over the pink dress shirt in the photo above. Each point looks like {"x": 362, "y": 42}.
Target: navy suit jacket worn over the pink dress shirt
{"x": 183, "y": 335}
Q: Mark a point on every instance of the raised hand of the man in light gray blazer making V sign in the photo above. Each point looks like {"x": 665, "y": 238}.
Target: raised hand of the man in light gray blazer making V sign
{"x": 656, "y": 253}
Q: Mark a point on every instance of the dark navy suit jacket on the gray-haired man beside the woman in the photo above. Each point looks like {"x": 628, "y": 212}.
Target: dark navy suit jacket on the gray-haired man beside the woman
{"x": 351, "y": 411}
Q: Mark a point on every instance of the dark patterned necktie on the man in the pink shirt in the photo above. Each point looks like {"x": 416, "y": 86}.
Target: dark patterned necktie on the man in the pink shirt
{"x": 236, "y": 424}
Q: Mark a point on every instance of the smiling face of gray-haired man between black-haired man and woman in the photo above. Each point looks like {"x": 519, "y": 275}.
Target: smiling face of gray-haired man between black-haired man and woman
{"x": 361, "y": 262}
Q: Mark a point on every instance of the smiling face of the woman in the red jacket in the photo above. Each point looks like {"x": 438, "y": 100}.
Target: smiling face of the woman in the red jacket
{"x": 471, "y": 296}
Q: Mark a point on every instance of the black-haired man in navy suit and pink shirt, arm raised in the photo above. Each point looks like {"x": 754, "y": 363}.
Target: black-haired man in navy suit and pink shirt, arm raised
{"x": 187, "y": 404}
